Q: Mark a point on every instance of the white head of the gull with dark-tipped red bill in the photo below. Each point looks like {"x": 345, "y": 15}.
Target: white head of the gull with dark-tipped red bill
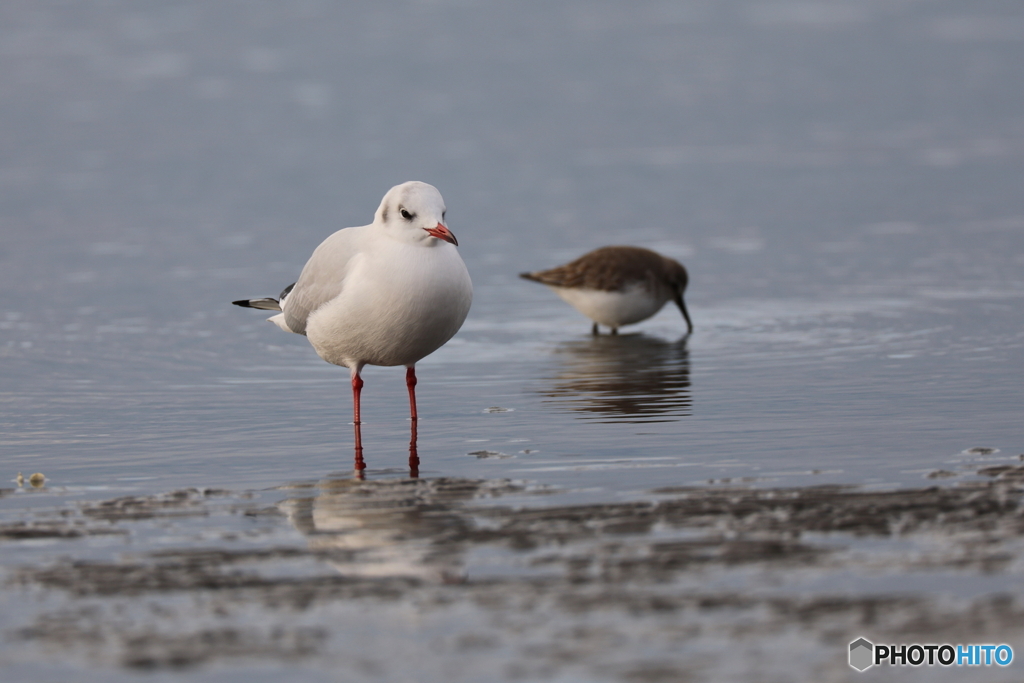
{"x": 415, "y": 212}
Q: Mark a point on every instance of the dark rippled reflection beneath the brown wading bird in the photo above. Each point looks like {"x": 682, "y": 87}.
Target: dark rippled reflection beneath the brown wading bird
{"x": 624, "y": 378}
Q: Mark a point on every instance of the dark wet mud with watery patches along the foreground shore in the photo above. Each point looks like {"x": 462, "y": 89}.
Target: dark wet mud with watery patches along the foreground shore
{"x": 461, "y": 580}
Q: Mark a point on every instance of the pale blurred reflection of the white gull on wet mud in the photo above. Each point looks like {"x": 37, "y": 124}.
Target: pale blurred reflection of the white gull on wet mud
{"x": 413, "y": 529}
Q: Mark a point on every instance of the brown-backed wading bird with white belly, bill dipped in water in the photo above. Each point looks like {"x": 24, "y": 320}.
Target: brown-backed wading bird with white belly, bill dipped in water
{"x": 617, "y": 286}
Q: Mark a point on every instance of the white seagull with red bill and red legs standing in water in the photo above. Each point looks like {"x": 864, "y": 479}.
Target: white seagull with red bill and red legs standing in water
{"x": 385, "y": 294}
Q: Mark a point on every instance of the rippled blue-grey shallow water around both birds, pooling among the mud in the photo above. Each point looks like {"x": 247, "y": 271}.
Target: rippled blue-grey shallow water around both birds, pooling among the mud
{"x": 842, "y": 182}
